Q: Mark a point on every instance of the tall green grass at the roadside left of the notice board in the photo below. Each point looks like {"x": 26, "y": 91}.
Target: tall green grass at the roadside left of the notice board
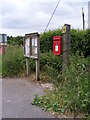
{"x": 13, "y": 62}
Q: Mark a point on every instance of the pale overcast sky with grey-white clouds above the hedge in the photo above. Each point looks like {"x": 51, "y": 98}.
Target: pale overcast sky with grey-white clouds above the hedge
{"x": 18, "y": 17}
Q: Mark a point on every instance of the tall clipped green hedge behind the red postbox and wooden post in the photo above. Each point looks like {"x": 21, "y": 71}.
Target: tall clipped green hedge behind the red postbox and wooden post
{"x": 79, "y": 41}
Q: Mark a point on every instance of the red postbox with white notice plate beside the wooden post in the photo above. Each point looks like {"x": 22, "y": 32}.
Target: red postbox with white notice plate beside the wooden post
{"x": 57, "y": 45}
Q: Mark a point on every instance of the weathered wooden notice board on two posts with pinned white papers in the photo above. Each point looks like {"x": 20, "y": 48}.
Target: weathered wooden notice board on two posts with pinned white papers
{"x": 32, "y": 47}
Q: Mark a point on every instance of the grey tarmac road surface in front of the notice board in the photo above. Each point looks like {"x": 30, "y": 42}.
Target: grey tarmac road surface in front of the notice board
{"x": 17, "y": 96}
